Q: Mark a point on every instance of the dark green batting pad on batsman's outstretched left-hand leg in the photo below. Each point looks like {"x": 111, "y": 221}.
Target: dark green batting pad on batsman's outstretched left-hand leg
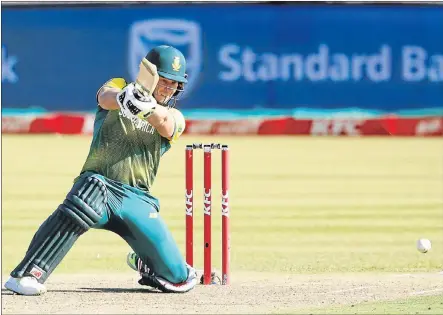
{"x": 82, "y": 208}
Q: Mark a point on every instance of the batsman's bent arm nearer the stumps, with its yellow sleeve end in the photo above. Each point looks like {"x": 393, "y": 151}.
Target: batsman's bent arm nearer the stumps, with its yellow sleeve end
{"x": 169, "y": 123}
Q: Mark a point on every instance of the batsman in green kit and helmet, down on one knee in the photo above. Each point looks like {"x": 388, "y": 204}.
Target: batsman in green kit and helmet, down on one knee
{"x": 133, "y": 128}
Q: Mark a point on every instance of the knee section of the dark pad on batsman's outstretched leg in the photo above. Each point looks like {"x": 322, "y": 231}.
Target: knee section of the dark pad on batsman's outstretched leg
{"x": 85, "y": 203}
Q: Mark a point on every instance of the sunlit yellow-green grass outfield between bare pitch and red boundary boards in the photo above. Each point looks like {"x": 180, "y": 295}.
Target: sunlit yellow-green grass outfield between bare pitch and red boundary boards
{"x": 298, "y": 204}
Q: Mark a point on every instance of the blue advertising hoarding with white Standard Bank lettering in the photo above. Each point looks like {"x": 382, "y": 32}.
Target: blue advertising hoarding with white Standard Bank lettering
{"x": 239, "y": 56}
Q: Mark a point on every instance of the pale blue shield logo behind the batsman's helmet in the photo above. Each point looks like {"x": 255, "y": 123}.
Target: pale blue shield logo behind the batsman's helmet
{"x": 182, "y": 34}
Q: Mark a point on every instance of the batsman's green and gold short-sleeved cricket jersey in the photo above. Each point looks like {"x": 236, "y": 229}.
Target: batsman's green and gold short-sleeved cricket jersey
{"x": 127, "y": 150}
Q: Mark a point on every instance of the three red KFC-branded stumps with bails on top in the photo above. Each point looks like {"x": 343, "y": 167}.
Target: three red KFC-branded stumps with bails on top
{"x": 207, "y": 207}
